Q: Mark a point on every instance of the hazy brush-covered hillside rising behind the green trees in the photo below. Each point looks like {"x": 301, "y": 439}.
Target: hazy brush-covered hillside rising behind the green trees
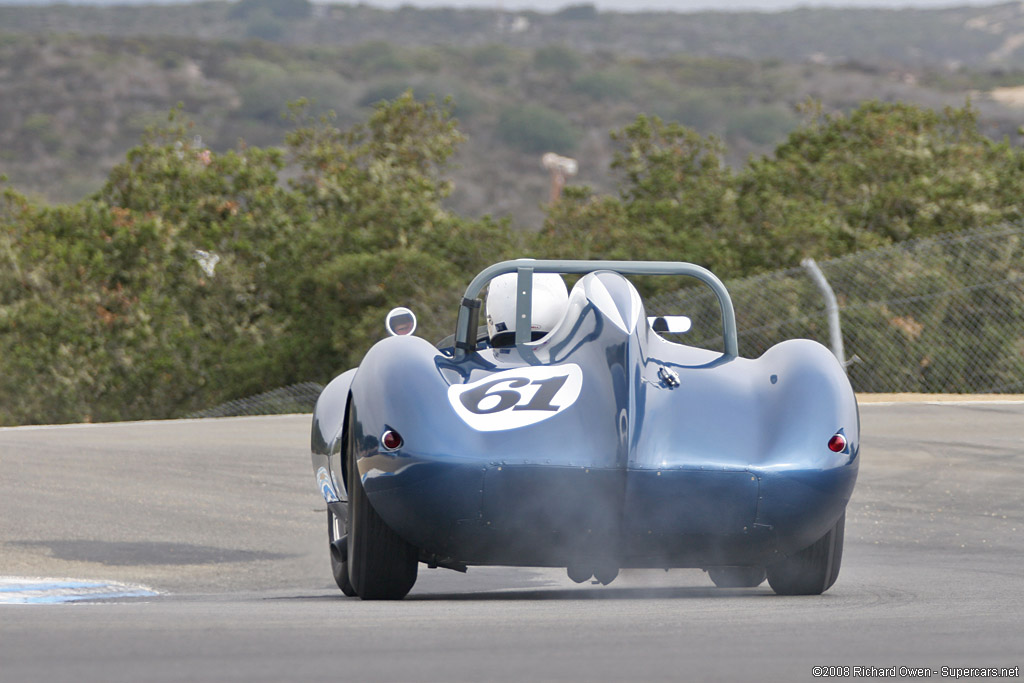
{"x": 72, "y": 105}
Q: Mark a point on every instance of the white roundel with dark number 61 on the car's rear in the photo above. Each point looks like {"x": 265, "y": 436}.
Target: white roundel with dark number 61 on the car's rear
{"x": 517, "y": 398}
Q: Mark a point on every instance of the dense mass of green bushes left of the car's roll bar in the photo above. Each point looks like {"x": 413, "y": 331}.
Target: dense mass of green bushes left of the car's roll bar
{"x": 115, "y": 309}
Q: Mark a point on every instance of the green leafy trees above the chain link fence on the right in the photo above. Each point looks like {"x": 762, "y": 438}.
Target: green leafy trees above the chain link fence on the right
{"x": 884, "y": 174}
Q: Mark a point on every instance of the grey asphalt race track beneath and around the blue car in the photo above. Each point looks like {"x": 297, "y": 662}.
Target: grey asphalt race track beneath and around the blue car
{"x": 223, "y": 518}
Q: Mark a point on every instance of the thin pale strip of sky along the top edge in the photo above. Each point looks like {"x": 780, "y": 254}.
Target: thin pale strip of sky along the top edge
{"x": 681, "y": 6}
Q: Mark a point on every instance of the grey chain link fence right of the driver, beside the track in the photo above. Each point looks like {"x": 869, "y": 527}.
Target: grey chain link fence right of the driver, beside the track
{"x": 942, "y": 315}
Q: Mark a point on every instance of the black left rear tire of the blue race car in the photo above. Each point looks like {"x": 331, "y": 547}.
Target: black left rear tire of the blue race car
{"x": 381, "y": 565}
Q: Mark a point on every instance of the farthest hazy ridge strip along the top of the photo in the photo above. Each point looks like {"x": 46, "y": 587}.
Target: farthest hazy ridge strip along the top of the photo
{"x": 975, "y": 35}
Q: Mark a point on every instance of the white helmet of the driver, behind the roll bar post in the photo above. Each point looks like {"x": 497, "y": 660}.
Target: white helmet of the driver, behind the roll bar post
{"x": 550, "y": 302}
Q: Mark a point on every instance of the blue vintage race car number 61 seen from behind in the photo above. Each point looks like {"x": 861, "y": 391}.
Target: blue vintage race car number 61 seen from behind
{"x": 572, "y": 434}
